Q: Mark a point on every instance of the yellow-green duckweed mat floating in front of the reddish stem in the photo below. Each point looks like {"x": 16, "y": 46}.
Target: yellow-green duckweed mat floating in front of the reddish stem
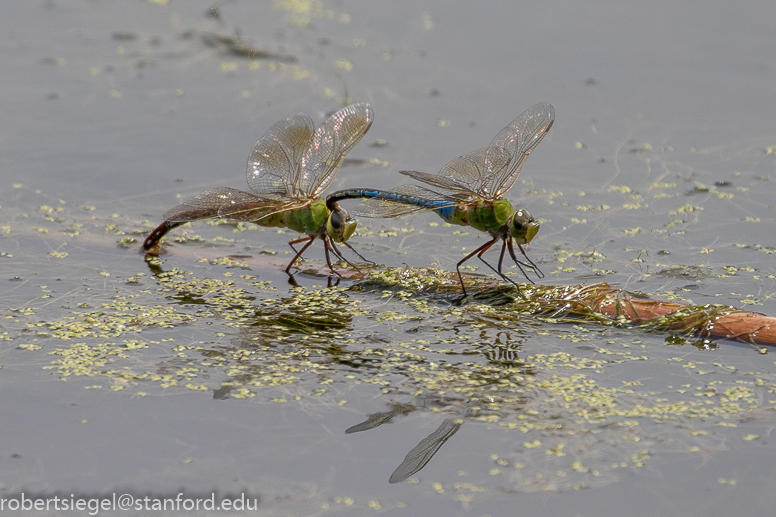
{"x": 577, "y": 402}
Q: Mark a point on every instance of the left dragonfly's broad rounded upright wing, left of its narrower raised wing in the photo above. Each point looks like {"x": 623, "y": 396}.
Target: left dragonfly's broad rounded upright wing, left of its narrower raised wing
{"x": 275, "y": 160}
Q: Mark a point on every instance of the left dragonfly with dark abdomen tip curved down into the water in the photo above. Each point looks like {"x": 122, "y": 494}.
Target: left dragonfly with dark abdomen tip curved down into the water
{"x": 288, "y": 170}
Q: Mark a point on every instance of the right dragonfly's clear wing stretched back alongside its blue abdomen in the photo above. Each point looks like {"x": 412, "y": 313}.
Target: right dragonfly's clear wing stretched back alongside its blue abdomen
{"x": 402, "y": 200}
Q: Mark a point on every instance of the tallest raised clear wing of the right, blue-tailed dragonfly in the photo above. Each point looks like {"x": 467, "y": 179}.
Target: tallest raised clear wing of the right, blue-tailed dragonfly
{"x": 507, "y": 152}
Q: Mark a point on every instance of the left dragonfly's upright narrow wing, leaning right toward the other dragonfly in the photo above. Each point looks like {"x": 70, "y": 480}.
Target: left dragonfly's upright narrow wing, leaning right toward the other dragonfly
{"x": 330, "y": 144}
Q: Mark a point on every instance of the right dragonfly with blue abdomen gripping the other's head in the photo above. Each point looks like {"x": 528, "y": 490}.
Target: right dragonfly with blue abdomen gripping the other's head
{"x": 469, "y": 191}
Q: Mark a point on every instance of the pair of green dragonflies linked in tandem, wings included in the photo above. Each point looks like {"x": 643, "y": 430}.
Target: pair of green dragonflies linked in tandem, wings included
{"x": 293, "y": 163}
